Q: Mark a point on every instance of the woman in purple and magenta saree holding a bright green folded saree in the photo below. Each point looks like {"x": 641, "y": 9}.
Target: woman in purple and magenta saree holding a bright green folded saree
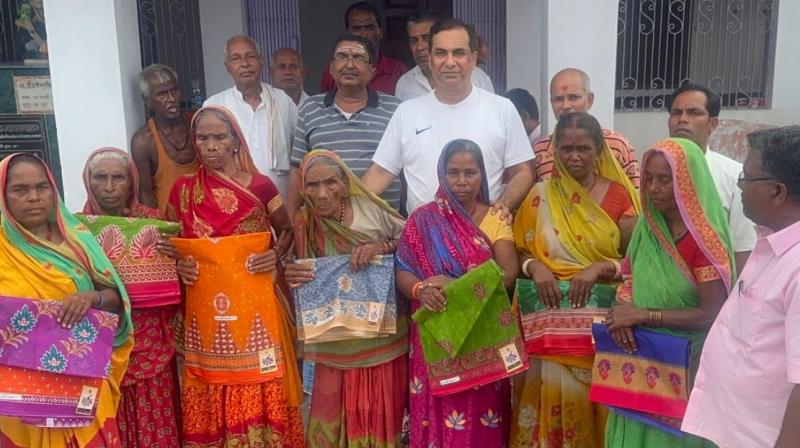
{"x": 442, "y": 241}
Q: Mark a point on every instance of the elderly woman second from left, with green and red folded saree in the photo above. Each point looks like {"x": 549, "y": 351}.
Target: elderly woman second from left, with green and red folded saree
{"x": 149, "y": 413}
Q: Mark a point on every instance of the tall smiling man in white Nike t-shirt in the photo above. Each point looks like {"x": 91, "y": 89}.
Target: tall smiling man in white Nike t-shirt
{"x": 421, "y": 127}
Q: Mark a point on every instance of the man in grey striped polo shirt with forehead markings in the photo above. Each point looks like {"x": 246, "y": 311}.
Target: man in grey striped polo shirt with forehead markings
{"x": 349, "y": 121}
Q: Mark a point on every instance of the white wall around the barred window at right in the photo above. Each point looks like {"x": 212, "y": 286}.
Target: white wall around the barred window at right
{"x": 645, "y": 128}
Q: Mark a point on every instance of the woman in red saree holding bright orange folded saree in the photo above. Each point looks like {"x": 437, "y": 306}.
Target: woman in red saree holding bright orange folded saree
{"x": 225, "y": 401}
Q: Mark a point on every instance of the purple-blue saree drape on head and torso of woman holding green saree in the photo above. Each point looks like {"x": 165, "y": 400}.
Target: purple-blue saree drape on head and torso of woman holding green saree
{"x": 440, "y": 237}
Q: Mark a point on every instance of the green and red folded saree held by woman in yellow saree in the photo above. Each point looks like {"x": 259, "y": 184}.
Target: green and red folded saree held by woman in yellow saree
{"x": 564, "y": 330}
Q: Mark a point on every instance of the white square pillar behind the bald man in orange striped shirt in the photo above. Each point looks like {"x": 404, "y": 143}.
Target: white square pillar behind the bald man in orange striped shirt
{"x": 545, "y": 36}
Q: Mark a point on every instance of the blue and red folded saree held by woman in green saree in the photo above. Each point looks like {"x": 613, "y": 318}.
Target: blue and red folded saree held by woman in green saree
{"x": 651, "y": 385}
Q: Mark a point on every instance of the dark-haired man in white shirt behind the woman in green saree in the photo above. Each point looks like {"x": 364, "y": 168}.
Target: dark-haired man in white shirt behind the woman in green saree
{"x": 694, "y": 114}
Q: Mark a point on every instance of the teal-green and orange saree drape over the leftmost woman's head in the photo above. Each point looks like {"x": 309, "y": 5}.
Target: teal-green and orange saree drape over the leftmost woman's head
{"x": 79, "y": 257}
